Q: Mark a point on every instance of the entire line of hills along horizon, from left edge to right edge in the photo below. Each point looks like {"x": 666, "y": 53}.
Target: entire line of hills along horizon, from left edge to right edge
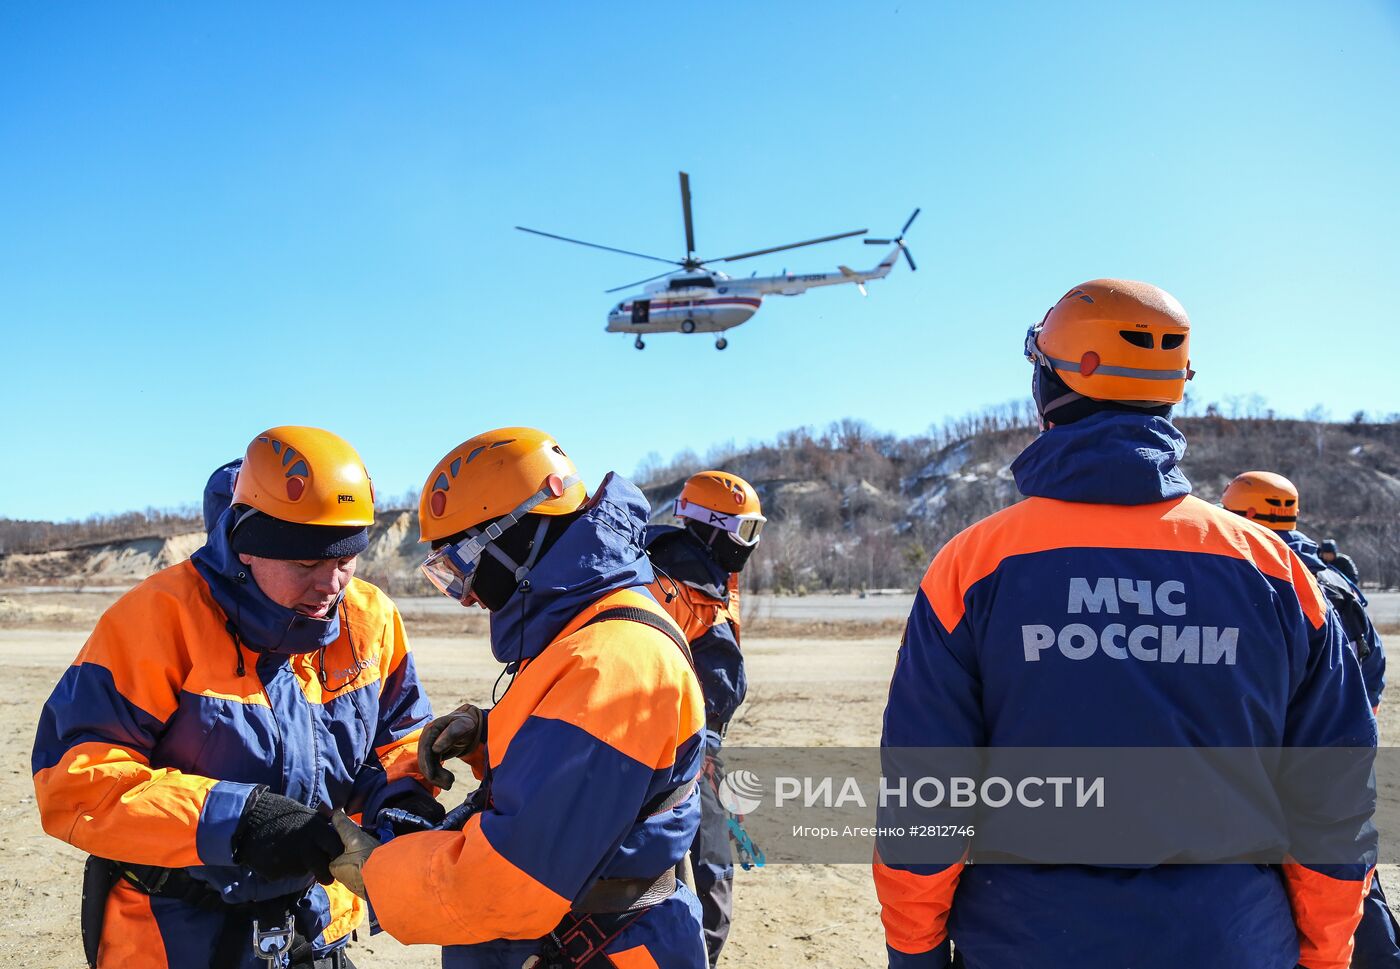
{"x": 849, "y": 509}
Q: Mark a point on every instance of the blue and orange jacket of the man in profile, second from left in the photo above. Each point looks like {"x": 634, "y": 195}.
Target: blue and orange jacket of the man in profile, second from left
{"x": 600, "y": 723}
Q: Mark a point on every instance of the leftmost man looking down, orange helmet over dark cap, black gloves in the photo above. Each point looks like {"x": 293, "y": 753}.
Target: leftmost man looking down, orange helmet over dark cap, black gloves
{"x": 222, "y": 709}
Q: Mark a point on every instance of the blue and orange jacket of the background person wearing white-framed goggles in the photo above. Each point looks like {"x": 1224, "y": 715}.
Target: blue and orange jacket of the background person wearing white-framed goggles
{"x": 705, "y": 601}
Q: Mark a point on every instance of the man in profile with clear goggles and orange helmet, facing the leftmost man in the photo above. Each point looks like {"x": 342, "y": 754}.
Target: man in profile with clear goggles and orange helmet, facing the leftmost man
{"x": 589, "y": 761}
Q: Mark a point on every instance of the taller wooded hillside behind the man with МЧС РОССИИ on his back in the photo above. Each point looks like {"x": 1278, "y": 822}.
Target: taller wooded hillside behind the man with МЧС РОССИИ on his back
{"x": 853, "y": 509}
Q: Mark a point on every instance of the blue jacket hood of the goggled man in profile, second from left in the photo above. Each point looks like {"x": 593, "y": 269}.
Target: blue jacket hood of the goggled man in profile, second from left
{"x": 601, "y": 552}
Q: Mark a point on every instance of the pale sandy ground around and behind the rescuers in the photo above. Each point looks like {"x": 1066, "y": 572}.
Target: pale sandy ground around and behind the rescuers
{"x": 804, "y": 691}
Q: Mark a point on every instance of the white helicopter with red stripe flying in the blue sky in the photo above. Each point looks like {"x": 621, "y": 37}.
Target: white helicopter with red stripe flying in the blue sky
{"x": 703, "y": 300}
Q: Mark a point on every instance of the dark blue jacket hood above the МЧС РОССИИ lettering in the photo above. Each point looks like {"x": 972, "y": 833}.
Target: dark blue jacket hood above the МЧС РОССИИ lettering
{"x": 1107, "y": 459}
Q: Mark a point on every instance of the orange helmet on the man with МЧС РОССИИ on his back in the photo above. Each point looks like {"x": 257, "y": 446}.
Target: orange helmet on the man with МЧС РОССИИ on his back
{"x": 1114, "y": 340}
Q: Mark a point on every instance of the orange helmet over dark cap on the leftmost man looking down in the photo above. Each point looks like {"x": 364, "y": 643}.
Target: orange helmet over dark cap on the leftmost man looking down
{"x": 307, "y": 477}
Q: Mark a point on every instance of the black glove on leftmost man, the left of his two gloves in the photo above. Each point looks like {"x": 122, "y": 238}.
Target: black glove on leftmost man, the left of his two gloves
{"x": 281, "y": 838}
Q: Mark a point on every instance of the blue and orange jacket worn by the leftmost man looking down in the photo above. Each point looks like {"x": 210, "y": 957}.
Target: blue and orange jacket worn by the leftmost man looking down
{"x": 153, "y": 741}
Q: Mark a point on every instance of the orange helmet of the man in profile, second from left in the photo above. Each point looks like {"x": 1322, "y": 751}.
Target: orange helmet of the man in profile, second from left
{"x": 493, "y": 475}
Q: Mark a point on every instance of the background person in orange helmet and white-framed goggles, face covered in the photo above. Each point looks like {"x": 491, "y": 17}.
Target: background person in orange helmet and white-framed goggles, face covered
{"x": 698, "y": 583}
